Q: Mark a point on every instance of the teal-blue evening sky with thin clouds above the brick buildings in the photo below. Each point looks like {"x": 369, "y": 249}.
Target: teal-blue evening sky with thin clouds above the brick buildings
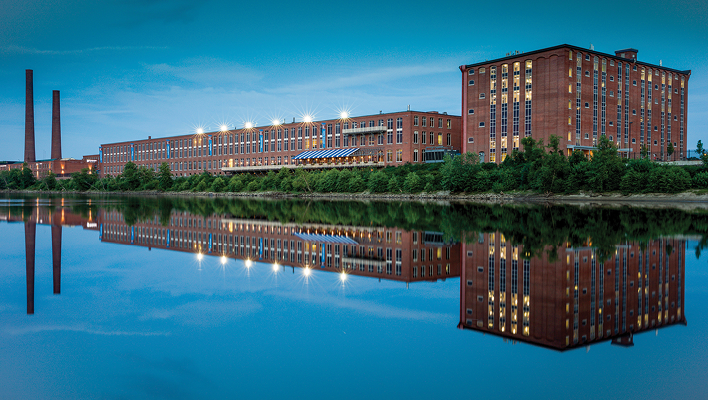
{"x": 127, "y": 69}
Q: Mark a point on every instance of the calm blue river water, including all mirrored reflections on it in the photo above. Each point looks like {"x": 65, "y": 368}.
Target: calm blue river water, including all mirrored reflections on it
{"x": 117, "y": 297}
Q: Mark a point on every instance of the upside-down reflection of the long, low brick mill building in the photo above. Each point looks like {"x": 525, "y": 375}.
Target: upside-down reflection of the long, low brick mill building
{"x": 380, "y": 252}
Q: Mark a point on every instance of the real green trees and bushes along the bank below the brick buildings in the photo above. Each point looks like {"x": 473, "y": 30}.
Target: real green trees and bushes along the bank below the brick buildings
{"x": 536, "y": 167}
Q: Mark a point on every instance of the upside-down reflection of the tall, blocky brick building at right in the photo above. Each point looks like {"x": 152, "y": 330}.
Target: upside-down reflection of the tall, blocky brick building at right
{"x": 575, "y": 299}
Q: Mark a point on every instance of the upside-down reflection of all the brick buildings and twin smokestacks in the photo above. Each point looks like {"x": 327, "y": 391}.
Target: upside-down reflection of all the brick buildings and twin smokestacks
{"x": 557, "y": 295}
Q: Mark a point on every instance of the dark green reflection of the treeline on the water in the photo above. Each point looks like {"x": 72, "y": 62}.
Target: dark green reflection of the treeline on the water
{"x": 538, "y": 229}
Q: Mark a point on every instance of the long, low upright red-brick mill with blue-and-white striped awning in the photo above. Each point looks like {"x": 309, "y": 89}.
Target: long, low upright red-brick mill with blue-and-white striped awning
{"x": 374, "y": 140}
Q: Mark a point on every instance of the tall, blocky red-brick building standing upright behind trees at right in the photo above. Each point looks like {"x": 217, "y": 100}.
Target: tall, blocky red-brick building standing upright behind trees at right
{"x": 577, "y": 94}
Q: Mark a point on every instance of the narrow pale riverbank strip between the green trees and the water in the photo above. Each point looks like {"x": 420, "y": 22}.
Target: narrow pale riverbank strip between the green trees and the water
{"x": 689, "y": 199}
